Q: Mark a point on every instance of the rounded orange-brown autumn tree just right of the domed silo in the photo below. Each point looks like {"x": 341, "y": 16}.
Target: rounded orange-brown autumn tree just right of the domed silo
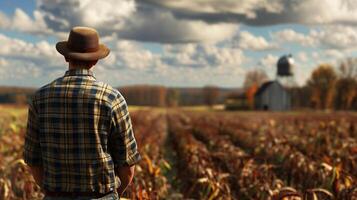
{"x": 322, "y": 86}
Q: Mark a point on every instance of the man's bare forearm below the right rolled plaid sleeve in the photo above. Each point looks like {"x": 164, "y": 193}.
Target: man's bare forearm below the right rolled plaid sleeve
{"x": 125, "y": 175}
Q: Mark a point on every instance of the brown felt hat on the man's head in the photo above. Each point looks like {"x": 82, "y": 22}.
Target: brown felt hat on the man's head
{"x": 83, "y": 44}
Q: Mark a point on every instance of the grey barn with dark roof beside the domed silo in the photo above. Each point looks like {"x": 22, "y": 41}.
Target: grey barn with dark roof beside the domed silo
{"x": 272, "y": 96}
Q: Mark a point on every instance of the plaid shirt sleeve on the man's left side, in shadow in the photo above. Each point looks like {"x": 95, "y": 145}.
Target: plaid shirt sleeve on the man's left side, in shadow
{"x": 32, "y": 148}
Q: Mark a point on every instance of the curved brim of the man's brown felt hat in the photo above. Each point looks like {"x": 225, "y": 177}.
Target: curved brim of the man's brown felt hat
{"x": 63, "y": 49}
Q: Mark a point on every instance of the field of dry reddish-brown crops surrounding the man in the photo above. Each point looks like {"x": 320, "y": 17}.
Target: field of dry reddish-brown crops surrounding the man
{"x": 218, "y": 155}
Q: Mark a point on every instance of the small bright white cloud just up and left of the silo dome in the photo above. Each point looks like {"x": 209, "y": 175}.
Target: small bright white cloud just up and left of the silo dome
{"x": 248, "y": 41}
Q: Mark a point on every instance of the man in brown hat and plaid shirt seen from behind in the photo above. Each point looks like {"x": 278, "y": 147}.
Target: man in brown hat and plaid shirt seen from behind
{"x": 79, "y": 133}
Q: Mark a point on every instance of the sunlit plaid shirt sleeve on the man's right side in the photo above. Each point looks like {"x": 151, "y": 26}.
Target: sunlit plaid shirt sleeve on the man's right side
{"x": 122, "y": 144}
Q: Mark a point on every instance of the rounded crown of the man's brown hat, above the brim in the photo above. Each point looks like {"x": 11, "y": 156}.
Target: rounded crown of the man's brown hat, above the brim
{"x": 83, "y": 39}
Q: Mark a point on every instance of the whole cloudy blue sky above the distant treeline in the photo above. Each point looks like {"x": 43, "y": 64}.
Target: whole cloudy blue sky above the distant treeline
{"x": 180, "y": 43}
